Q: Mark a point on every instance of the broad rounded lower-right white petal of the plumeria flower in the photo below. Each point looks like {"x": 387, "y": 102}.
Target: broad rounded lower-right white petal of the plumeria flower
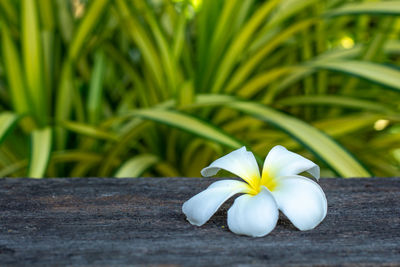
{"x": 302, "y": 201}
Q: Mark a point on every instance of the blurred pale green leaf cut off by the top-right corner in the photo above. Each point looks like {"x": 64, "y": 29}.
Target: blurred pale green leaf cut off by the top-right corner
{"x": 371, "y": 8}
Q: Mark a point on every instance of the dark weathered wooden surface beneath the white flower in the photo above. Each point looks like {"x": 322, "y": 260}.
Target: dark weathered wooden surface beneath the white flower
{"x": 100, "y": 221}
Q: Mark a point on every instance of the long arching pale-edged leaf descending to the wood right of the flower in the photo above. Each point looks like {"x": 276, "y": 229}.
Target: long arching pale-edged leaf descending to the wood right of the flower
{"x": 323, "y": 146}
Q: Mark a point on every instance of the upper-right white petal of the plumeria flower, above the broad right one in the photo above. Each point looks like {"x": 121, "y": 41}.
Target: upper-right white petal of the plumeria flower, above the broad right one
{"x": 282, "y": 162}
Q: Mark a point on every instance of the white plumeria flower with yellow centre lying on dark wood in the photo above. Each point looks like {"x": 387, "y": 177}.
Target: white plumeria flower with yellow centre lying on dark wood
{"x": 256, "y": 212}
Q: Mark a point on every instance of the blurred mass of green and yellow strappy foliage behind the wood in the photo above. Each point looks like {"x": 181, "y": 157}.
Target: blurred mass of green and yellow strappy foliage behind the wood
{"x": 133, "y": 88}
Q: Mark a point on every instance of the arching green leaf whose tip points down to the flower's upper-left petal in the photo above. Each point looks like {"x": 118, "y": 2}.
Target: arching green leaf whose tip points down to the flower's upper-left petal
{"x": 190, "y": 124}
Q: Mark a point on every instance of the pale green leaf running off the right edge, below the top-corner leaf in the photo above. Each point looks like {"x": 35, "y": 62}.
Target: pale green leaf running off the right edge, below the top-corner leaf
{"x": 374, "y": 72}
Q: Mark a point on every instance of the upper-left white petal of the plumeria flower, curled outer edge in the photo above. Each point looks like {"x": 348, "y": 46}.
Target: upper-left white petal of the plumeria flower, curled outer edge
{"x": 239, "y": 162}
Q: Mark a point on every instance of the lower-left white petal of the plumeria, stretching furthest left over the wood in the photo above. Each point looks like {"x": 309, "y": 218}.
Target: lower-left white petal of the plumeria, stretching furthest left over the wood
{"x": 201, "y": 207}
